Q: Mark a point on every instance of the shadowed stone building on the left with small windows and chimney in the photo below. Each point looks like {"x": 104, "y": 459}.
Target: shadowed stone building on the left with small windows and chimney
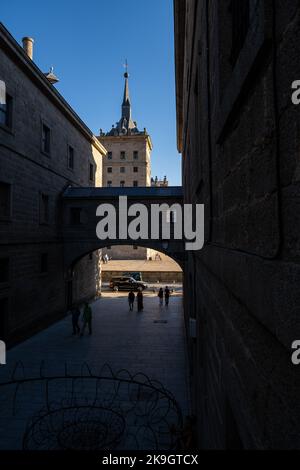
{"x": 44, "y": 148}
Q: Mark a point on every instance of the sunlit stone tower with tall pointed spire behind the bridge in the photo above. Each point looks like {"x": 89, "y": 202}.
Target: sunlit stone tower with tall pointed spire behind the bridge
{"x": 127, "y": 164}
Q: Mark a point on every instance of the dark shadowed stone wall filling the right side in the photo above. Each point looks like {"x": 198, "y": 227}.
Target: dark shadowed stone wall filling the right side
{"x": 239, "y": 135}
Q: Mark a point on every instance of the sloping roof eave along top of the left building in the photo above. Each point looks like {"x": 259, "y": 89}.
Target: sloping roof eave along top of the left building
{"x": 9, "y": 45}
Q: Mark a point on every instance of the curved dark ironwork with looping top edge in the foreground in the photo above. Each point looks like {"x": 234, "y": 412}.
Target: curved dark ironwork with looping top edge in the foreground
{"x": 92, "y": 411}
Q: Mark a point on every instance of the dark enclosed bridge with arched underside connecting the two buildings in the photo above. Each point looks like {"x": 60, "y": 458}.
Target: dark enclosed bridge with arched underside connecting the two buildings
{"x": 80, "y": 220}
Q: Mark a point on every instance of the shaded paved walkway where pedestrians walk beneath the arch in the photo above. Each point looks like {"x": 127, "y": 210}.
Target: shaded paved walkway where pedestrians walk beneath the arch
{"x": 151, "y": 342}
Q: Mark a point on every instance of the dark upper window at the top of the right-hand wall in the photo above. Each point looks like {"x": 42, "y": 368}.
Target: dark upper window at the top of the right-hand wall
{"x": 240, "y": 12}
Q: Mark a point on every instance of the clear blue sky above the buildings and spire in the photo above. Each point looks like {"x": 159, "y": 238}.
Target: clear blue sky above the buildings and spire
{"x": 88, "y": 41}
